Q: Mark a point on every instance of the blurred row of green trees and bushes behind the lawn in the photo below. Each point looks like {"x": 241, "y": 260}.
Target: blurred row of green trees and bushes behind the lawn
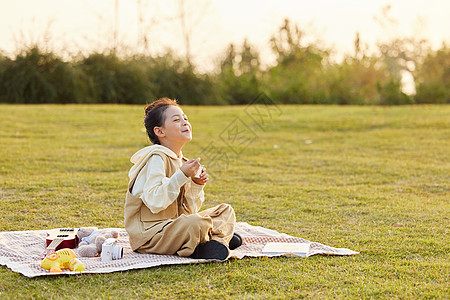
{"x": 304, "y": 73}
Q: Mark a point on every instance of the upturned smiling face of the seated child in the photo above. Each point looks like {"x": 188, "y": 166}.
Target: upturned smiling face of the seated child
{"x": 176, "y": 126}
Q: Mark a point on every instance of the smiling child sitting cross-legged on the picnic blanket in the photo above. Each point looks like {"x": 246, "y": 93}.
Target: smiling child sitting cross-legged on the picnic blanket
{"x": 164, "y": 194}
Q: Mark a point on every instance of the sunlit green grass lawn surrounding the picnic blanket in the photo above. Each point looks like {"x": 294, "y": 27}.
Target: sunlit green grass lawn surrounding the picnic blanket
{"x": 372, "y": 179}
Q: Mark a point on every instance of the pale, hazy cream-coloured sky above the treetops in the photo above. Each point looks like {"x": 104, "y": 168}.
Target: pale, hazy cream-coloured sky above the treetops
{"x": 71, "y": 26}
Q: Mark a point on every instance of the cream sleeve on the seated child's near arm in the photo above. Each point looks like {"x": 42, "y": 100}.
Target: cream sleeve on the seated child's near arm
{"x": 159, "y": 191}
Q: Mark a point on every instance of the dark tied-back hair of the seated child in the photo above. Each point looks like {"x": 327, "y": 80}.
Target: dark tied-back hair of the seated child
{"x": 154, "y": 116}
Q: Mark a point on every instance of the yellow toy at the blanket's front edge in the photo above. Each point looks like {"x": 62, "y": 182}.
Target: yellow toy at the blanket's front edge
{"x": 62, "y": 259}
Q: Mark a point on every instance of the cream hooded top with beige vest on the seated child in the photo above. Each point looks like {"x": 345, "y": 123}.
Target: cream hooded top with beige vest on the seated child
{"x": 158, "y": 192}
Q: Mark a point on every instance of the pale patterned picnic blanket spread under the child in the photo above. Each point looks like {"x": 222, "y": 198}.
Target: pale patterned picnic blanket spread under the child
{"x": 22, "y": 251}
